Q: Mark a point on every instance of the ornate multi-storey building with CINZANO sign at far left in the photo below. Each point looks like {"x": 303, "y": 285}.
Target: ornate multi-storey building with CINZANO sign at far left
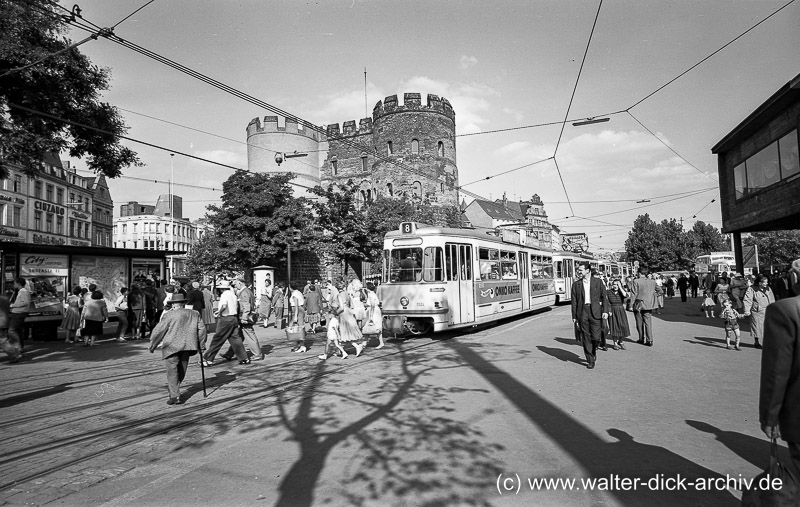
{"x": 48, "y": 208}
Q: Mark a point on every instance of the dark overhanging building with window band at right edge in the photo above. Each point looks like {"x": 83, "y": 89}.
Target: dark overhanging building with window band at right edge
{"x": 759, "y": 169}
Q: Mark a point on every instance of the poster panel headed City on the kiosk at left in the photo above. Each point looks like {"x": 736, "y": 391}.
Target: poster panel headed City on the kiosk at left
{"x": 47, "y": 277}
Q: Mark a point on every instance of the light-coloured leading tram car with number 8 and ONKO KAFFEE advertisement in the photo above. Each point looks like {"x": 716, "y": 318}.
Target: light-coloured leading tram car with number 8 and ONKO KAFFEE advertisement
{"x": 437, "y": 279}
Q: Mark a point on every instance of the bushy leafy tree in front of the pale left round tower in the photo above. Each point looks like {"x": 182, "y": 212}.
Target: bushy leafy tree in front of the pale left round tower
{"x": 254, "y": 224}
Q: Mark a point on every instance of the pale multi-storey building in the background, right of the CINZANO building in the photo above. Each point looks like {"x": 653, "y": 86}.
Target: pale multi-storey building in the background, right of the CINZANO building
{"x": 155, "y": 228}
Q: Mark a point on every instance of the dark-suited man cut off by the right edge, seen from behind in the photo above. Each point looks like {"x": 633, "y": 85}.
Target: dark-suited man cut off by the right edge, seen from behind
{"x": 778, "y": 407}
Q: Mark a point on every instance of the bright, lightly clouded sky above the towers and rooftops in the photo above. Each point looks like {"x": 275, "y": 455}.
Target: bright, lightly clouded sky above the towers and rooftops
{"x": 505, "y": 66}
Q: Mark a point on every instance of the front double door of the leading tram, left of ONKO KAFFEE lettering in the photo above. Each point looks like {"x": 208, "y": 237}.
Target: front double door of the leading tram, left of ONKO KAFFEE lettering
{"x": 460, "y": 274}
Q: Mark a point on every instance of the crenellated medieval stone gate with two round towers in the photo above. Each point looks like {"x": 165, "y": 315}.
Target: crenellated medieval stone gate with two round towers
{"x": 407, "y": 149}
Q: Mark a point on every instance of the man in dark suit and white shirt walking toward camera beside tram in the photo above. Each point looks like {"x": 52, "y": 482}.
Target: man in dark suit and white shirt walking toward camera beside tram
{"x": 589, "y": 306}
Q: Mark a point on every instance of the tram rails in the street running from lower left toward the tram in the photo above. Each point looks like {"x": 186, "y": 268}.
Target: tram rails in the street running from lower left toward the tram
{"x": 130, "y": 432}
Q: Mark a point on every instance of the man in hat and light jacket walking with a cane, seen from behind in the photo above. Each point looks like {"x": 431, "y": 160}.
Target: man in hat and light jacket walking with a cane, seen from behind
{"x": 180, "y": 332}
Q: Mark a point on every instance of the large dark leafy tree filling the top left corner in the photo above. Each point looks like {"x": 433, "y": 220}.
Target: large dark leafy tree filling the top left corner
{"x": 40, "y": 71}
